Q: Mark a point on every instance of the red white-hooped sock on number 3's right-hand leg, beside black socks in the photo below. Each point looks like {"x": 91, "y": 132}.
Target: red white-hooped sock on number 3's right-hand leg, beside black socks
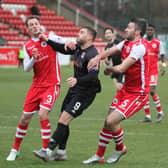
{"x": 45, "y": 132}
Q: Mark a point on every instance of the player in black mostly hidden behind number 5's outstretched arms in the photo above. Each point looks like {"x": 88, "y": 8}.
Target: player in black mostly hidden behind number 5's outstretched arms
{"x": 118, "y": 79}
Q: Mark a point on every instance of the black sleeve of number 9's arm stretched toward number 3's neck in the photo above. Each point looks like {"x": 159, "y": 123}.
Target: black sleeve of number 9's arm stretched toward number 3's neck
{"x": 59, "y": 47}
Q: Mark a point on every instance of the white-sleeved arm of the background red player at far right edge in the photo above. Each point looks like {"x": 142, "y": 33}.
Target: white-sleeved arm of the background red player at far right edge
{"x": 163, "y": 59}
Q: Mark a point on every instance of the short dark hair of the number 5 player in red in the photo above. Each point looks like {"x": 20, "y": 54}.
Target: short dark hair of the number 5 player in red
{"x": 140, "y": 25}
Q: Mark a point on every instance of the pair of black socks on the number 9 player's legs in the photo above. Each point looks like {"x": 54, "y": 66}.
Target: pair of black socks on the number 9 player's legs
{"x": 59, "y": 136}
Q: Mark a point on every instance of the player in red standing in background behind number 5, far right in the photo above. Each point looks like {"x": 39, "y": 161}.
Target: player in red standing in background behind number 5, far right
{"x": 156, "y": 49}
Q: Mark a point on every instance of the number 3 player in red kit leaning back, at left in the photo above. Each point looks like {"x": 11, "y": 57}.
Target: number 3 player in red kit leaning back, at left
{"x": 45, "y": 87}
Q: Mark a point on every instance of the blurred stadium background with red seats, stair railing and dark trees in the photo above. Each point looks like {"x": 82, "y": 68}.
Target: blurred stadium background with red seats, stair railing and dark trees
{"x": 65, "y": 18}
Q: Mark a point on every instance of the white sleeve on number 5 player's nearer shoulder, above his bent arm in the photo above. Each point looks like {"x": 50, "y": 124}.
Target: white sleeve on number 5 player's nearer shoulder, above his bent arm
{"x": 138, "y": 51}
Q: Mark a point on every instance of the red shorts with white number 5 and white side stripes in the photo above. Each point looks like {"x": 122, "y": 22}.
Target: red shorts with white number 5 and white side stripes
{"x": 128, "y": 103}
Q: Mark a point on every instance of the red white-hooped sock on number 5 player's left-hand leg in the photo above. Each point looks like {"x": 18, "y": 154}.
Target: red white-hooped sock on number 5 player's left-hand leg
{"x": 104, "y": 138}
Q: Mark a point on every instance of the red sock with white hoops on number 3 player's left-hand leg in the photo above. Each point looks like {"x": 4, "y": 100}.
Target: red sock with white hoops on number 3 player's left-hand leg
{"x": 20, "y": 134}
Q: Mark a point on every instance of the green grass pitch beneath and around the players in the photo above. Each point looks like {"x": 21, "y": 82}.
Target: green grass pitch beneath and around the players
{"x": 147, "y": 143}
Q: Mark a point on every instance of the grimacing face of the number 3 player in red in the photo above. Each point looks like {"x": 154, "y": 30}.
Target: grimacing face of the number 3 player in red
{"x": 34, "y": 27}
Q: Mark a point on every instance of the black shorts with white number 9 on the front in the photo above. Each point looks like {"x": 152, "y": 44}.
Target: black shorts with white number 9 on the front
{"x": 75, "y": 103}
